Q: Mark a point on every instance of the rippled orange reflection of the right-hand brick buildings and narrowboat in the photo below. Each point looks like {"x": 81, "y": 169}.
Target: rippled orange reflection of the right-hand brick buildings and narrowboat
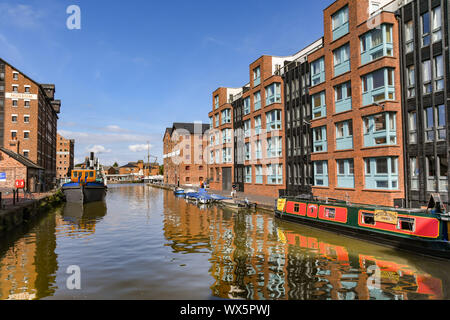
{"x": 254, "y": 256}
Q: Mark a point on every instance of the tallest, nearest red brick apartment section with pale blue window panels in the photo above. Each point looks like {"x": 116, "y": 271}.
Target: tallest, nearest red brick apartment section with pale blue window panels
{"x": 356, "y": 105}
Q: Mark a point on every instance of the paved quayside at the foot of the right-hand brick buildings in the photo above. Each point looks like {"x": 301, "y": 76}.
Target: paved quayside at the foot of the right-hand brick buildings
{"x": 262, "y": 202}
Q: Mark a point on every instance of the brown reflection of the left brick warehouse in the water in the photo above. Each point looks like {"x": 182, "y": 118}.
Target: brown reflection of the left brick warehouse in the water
{"x": 28, "y": 261}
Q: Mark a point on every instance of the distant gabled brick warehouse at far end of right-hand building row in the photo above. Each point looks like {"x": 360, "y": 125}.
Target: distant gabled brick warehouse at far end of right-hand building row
{"x": 184, "y": 148}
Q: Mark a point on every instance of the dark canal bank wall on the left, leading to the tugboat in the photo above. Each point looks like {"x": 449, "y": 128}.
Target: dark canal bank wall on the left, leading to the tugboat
{"x": 25, "y": 210}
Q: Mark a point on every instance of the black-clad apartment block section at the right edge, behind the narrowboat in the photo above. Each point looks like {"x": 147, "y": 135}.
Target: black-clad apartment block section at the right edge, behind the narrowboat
{"x": 424, "y": 32}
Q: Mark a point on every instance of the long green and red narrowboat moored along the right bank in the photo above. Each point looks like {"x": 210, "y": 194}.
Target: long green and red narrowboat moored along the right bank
{"x": 424, "y": 231}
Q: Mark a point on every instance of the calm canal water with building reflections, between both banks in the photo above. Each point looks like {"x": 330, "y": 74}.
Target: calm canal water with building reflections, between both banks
{"x": 144, "y": 243}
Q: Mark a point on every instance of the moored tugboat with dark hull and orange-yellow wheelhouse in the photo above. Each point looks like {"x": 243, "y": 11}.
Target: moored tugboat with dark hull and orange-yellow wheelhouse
{"x": 87, "y": 185}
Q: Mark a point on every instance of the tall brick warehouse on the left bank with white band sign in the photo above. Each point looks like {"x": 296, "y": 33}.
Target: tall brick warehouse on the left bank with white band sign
{"x": 29, "y": 115}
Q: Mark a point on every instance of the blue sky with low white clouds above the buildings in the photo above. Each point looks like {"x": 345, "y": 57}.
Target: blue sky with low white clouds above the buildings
{"x": 136, "y": 67}
